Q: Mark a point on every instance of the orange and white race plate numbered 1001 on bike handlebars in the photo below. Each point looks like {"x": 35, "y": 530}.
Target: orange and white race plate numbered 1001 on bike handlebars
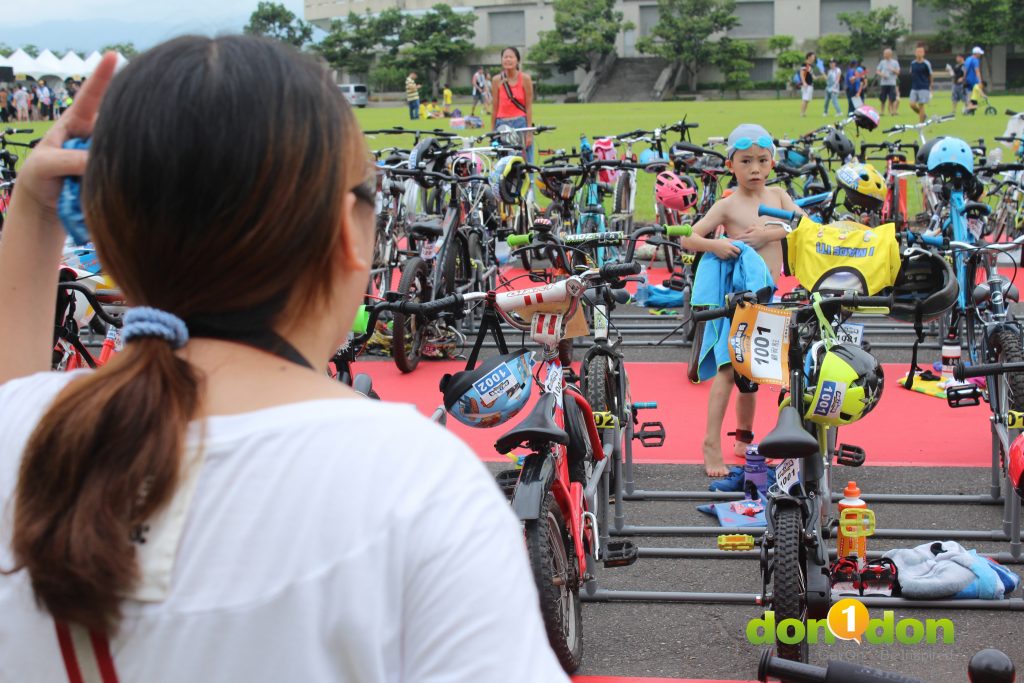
{"x": 759, "y": 345}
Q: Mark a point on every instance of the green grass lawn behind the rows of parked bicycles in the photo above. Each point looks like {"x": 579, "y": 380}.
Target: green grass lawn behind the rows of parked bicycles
{"x": 781, "y": 117}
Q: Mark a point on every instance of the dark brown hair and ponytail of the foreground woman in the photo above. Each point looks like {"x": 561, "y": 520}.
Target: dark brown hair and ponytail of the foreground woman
{"x": 215, "y": 188}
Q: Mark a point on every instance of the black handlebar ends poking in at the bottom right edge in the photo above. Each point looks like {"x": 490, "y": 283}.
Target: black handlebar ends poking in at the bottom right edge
{"x": 989, "y": 666}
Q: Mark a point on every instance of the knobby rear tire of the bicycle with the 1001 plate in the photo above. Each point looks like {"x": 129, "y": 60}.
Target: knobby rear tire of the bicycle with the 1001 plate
{"x": 789, "y": 583}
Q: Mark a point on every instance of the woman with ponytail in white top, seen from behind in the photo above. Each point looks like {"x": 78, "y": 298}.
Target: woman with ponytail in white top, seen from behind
{"x": 209, "y": 506}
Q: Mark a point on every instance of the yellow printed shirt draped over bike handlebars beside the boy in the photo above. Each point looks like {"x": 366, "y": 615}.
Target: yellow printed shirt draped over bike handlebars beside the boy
{"x": 843, "y": 257}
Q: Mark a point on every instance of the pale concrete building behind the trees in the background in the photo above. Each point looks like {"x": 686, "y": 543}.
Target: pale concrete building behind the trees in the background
{"x": 502, "y": 23}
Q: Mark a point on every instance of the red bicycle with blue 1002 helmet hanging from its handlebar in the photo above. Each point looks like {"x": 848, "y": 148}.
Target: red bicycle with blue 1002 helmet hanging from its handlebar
{"x": 551, "y": 495}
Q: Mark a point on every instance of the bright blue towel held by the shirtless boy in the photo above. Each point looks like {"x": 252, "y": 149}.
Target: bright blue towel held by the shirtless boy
{"x": 715, "y": 279}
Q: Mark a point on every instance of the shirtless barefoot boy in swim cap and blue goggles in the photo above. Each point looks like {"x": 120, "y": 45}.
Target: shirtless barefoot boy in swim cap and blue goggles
{"x": 751, "y": 158}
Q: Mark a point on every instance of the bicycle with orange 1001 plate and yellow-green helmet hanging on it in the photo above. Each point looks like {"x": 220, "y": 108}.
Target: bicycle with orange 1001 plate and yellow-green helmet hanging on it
{"x": 796, "y": 580}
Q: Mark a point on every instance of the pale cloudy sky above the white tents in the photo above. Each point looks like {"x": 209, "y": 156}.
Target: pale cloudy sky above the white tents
{"x": 87, "y": 25}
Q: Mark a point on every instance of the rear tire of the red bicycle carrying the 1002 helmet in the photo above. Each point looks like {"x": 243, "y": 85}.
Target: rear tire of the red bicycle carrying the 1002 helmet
{"x": 552, "y": 558}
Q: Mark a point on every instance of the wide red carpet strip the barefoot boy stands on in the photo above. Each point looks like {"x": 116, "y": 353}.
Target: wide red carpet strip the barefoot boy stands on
{"x": 907, "y": 429}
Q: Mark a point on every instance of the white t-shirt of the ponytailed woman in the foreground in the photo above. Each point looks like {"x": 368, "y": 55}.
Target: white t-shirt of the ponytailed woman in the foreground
{"x": 324, "y": 541}
